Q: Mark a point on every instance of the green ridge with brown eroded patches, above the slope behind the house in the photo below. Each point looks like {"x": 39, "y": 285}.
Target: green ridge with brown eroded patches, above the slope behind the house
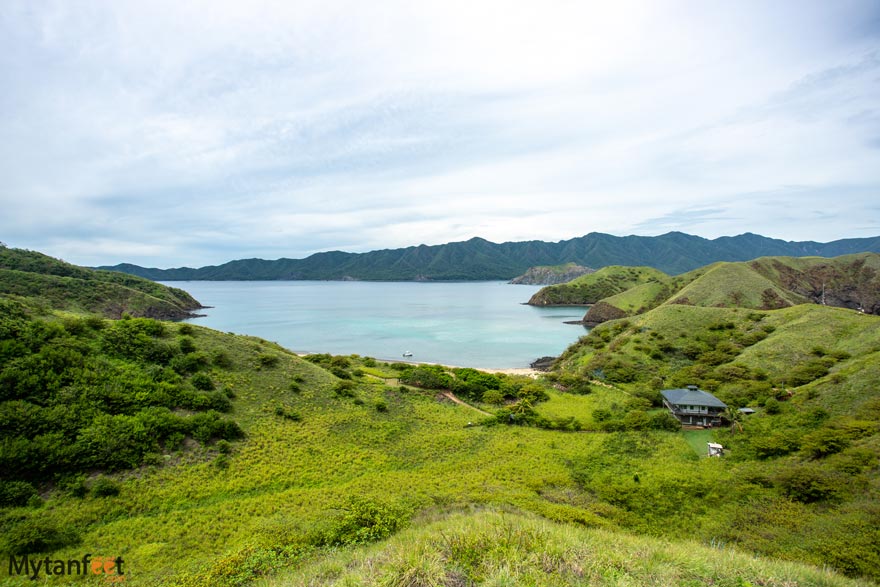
{"x": 848, "y": 281}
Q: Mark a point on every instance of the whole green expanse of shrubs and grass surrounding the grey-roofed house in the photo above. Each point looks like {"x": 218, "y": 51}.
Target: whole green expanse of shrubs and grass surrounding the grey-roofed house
{"x": 215, "y": 459}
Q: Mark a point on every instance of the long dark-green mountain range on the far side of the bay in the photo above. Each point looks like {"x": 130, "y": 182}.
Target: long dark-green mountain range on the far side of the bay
{"x": 475, "y": 259}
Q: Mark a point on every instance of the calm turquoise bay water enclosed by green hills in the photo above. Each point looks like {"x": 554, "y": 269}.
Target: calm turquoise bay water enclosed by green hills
{"x": 469, "y": 324}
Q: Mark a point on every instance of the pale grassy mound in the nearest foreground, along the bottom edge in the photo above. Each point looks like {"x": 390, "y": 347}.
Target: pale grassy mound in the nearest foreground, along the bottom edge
{"x": 497, "y": 548}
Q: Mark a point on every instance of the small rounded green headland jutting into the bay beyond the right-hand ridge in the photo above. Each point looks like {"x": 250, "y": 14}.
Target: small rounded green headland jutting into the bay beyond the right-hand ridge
{"x": 589, "y": 289}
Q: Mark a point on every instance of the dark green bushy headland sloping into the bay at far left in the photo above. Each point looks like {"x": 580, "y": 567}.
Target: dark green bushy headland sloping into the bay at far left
{"x": 64, "y": 286}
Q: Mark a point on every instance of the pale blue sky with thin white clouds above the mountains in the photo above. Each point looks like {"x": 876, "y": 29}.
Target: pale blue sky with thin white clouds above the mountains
{"x": 167, "y": 133}
